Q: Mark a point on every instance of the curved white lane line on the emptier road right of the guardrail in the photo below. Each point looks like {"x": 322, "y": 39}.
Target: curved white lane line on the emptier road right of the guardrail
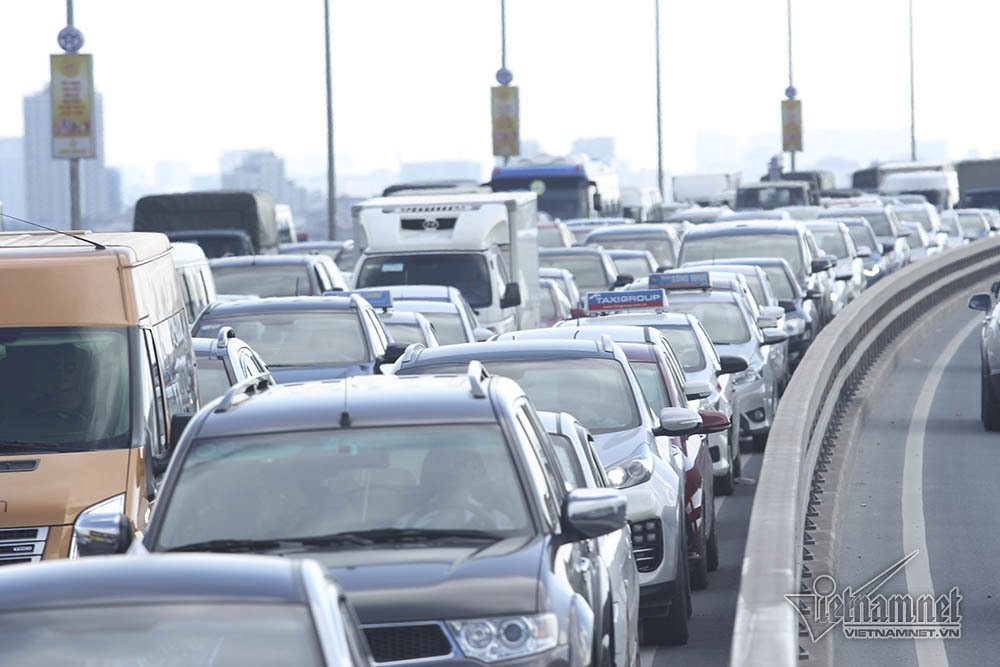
{"x": 918, "y": 572}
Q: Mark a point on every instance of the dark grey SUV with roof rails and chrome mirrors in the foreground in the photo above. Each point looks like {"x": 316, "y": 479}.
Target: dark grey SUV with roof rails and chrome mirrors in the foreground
{"x": 435, "y": 502}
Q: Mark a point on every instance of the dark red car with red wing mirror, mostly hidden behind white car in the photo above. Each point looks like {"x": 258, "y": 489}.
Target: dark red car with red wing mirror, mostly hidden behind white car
{"x": 662, "y": 380}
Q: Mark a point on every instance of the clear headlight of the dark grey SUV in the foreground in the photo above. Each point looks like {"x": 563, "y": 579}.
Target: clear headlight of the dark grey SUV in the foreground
{"x": 495, "y": 639}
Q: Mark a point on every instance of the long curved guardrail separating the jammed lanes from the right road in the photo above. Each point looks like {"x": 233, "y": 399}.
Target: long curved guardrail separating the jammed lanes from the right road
{"x": 766, "y": 631}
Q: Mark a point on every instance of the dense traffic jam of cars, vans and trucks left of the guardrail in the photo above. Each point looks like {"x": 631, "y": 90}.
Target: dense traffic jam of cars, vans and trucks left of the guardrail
{"x": 493, "y": 427}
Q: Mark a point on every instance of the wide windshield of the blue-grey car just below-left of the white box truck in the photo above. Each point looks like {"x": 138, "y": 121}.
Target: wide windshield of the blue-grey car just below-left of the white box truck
{"x": 296, "y": 338}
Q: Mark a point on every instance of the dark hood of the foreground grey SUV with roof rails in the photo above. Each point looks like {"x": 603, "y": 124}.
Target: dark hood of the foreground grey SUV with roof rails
{"x": 421, "y": 583}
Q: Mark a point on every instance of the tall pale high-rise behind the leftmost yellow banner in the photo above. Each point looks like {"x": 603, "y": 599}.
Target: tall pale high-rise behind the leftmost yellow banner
{"x": 47, "y": 179}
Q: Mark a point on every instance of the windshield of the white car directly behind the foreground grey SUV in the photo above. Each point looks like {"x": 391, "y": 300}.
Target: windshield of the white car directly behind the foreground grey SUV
{"x": 595, "y": 391}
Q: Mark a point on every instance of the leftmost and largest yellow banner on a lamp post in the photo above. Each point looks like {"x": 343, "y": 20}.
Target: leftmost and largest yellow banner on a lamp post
{"x": 72, "y": 92}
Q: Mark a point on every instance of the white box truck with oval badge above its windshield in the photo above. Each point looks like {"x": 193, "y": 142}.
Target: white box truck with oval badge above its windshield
{"x": 484, "y": 244}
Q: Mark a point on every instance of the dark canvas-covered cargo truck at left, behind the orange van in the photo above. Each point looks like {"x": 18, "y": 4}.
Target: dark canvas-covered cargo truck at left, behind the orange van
{"x": 222, "y": 222}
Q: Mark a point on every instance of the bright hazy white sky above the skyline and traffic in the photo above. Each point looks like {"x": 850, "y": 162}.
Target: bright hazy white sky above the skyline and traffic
{"x": 186, "y": 79}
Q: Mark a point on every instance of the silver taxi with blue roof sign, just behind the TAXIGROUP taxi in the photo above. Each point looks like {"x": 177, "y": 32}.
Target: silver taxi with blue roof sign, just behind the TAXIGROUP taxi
{"x": 729, "y": 315}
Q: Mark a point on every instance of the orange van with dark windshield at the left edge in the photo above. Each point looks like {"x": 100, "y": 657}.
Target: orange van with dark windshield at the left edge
{"x": 95, "y": 360}
